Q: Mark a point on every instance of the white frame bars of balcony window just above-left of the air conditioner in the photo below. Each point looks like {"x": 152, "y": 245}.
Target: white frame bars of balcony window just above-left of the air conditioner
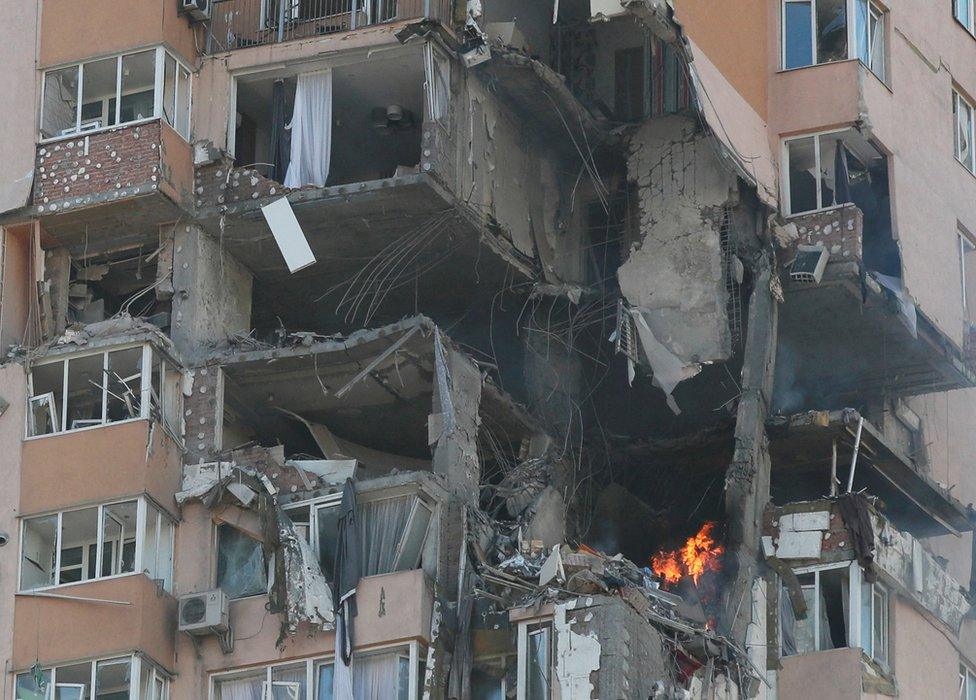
{"x": 138, "y": 569}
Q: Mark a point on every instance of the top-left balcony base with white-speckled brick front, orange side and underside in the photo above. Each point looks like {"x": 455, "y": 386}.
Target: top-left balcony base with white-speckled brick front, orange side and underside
{"x": 114, "y": 185}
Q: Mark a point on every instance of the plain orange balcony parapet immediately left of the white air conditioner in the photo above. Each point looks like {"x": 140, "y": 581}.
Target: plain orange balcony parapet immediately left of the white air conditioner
{"x": 110, "y": 617}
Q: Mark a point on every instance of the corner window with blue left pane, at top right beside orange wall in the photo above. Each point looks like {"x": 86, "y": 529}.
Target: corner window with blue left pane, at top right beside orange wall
{"x": 816, "y": 31}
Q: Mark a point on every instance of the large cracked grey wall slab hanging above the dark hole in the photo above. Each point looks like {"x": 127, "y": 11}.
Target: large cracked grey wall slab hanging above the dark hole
{"x": 675, "y": 275}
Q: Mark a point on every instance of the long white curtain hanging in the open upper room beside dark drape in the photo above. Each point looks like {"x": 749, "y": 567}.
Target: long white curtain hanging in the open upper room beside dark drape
{"x": 311, "y": 131}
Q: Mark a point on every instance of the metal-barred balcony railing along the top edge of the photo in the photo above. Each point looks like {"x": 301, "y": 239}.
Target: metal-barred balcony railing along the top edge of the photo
{"x": 237, "y": 24}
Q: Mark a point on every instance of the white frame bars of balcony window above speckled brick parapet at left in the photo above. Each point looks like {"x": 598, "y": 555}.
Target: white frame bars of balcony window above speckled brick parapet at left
{"x": 159, "y": 66}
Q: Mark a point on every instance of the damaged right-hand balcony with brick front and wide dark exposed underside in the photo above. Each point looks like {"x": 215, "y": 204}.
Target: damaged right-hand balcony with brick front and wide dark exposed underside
{"x": 856, "y": 332}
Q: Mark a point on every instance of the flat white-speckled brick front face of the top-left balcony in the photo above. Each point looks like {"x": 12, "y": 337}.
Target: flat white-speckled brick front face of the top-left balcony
{"x": 94, "y": 168}
